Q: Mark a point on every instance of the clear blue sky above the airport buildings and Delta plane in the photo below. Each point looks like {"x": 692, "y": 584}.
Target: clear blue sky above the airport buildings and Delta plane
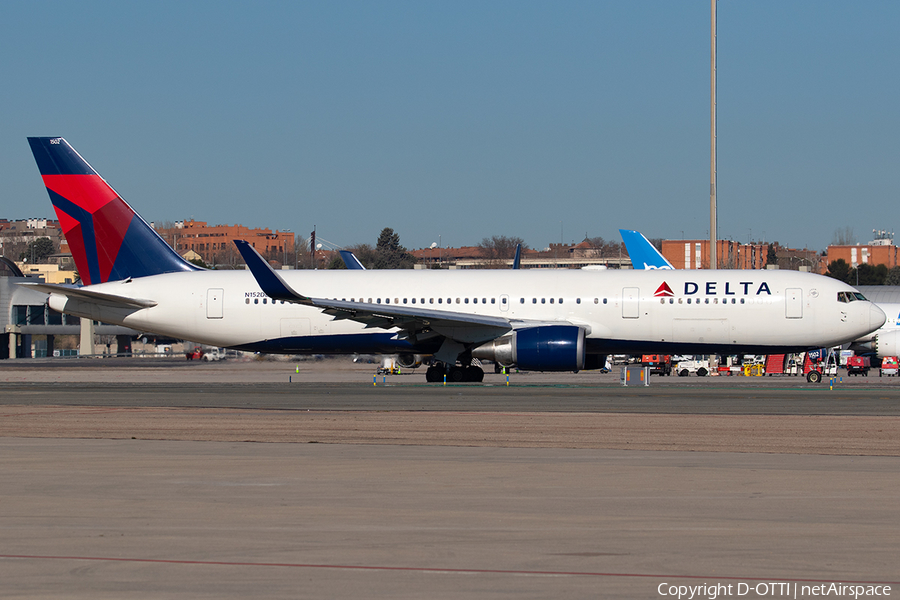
{"x": 455, "y": 121}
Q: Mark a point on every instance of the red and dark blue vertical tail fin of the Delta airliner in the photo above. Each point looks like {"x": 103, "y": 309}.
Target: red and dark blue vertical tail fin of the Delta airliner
{"x": 108, "y": 240}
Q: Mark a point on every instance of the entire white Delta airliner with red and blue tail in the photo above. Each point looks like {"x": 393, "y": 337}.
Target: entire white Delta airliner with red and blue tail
{"x": 542, "y": 320}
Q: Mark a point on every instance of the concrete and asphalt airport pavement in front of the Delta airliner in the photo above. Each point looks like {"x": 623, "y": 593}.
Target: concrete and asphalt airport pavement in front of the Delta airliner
{"x": 548, "y": 488}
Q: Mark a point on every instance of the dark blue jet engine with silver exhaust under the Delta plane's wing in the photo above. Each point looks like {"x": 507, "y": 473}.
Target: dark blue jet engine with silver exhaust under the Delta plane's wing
{"x": 542, "y": 348}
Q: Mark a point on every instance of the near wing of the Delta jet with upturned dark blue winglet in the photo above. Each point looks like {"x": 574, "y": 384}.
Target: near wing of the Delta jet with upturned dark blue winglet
{"x": 462, "y": 327}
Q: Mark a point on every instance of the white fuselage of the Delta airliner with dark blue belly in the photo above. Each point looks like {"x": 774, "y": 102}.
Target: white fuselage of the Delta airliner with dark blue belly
{"x": 692, "y": 311}
